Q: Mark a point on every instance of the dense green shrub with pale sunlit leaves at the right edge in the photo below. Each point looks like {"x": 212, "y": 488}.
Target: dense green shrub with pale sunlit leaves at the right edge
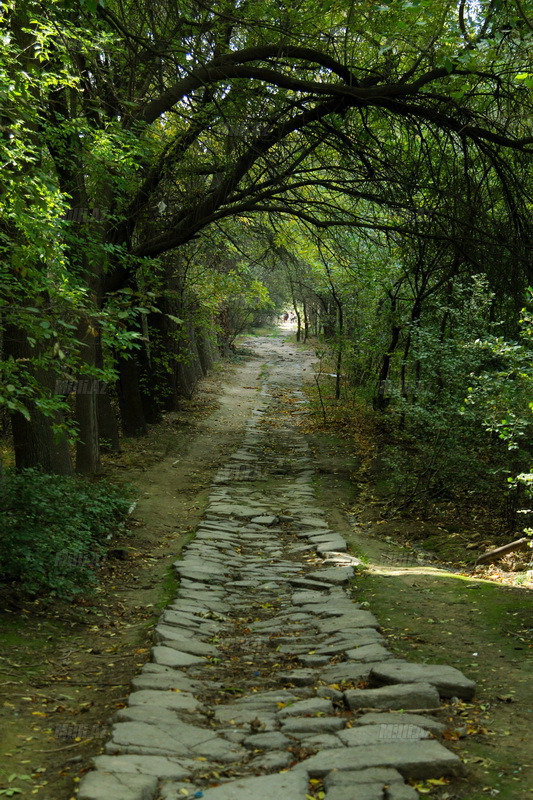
{"x": 440, "y": 448}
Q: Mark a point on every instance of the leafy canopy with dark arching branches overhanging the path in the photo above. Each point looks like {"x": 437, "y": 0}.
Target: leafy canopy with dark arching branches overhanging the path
{"x": 197, "y": 111}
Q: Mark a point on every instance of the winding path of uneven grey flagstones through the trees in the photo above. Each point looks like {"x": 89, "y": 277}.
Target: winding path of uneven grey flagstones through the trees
{"x": 266, "y": 675}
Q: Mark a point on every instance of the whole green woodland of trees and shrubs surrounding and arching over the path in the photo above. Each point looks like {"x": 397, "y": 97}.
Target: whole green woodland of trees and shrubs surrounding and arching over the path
{"x": 174, "y": 170}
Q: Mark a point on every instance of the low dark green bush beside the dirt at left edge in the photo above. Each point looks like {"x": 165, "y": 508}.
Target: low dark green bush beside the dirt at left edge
{"x": 52, "y": 530}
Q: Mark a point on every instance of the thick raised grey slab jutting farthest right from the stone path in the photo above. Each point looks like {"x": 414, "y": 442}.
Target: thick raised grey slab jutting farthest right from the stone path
{"x": 449, "y": 681}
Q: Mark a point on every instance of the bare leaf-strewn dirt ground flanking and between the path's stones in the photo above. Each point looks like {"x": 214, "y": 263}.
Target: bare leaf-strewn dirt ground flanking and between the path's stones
{"x": 413, "y": 604}
